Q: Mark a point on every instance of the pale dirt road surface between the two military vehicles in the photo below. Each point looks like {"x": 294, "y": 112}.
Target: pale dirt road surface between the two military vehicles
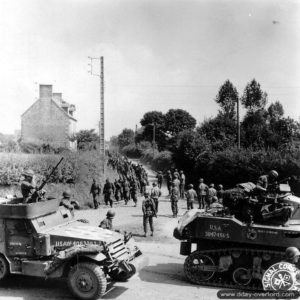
{"x": 162, "y": 278}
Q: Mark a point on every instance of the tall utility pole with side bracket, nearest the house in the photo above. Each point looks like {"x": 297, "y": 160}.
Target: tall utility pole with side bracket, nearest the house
{"x": 101, "y": 122}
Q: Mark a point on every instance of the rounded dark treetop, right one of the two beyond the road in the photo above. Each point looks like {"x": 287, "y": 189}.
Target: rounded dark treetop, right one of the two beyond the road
{"x": 177, "y": 120}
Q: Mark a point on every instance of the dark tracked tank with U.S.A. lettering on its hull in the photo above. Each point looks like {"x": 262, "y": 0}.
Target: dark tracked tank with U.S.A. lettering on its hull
{"x": 234, "y": 245}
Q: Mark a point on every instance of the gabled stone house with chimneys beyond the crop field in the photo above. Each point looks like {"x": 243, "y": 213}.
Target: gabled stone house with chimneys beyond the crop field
{"x": 49, "y": 121}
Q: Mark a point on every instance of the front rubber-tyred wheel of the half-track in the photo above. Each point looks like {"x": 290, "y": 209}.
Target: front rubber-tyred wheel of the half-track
{"x": 87, "y": 281}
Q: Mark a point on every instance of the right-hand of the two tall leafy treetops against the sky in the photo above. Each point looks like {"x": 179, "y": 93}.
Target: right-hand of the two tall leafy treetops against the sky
{"x": 253, "y": 97}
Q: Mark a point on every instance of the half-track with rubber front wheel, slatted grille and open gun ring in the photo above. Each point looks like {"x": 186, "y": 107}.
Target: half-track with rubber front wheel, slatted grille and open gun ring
{"x": 43, "y": 239}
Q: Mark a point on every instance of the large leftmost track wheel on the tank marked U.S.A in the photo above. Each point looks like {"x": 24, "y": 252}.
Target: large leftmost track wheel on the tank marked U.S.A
{"x": 193, "y": 267}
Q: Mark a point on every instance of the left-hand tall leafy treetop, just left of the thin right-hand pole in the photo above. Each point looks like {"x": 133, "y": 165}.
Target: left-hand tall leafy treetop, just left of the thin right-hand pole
{"x": 227, "y": 99}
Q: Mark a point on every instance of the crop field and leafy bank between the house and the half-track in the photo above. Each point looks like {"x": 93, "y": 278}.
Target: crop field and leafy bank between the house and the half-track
{"x": 79, "y": 168}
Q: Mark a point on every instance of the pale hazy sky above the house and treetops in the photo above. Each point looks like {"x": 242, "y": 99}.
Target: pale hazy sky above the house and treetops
{"x": 158, "y": 55}
